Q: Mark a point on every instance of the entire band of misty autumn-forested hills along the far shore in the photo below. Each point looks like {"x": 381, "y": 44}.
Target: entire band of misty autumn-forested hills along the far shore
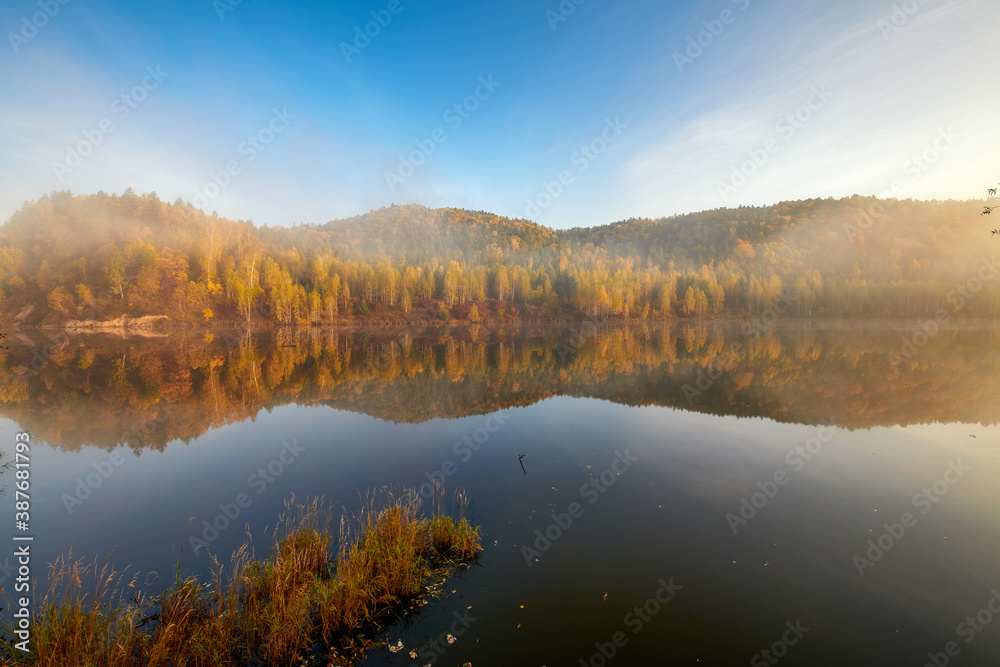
{"x": 98, "y": 257}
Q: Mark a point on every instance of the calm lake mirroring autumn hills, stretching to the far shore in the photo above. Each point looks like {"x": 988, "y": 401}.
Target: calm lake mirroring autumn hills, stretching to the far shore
{"x": 807, "y": 492}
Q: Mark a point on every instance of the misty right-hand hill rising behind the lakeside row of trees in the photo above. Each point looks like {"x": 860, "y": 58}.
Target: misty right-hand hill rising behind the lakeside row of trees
{"x": 859, "y": 237}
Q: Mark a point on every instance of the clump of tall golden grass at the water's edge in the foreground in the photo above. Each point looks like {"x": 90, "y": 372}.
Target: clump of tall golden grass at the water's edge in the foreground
{"x": 316, "y": 596}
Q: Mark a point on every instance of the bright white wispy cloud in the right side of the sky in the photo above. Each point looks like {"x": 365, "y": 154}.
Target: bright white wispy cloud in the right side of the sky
{"x": 890, "y": 99}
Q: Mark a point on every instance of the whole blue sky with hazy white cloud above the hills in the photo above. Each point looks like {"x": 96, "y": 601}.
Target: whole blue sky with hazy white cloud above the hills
{"x": 568, "y": 114}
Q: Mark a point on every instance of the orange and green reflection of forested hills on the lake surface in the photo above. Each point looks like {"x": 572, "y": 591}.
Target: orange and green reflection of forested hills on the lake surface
{"x": 145, "y": 392}
